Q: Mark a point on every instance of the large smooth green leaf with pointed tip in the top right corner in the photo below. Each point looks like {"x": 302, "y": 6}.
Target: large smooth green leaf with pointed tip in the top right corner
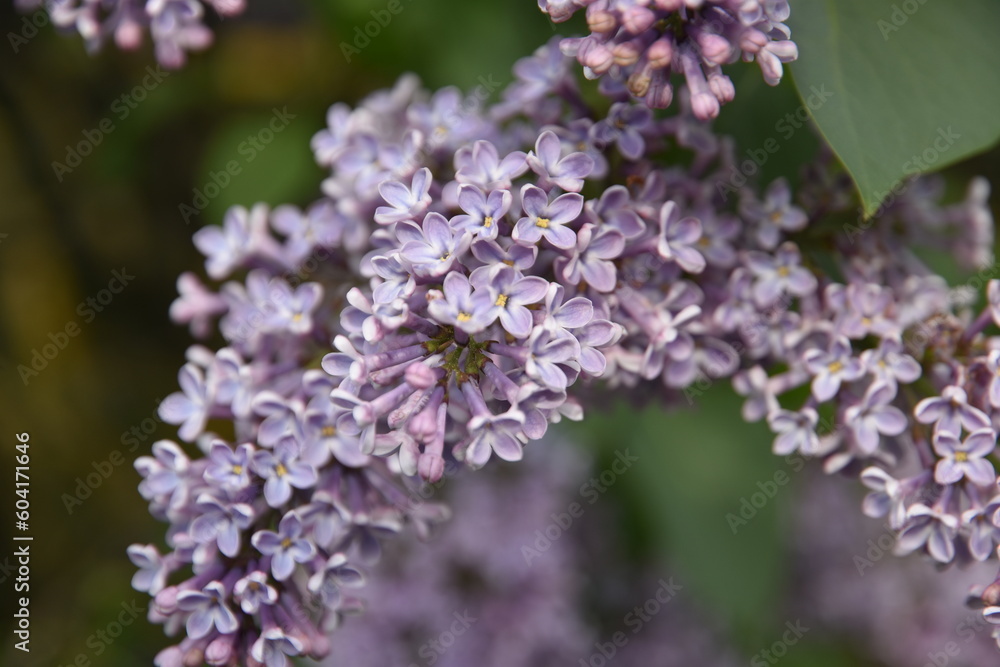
{"x": 899, "y": 88}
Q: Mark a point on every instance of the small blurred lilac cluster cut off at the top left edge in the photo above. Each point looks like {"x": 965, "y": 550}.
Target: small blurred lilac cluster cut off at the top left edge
{"x": 175, "y": 26}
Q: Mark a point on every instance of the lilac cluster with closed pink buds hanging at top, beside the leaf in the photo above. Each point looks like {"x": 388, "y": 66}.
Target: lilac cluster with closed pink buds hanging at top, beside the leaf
{"x": 641, "y": 43}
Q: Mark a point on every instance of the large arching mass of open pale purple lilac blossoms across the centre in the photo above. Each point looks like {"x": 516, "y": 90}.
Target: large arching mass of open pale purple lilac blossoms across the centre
{"x": 471, "y": 271}
